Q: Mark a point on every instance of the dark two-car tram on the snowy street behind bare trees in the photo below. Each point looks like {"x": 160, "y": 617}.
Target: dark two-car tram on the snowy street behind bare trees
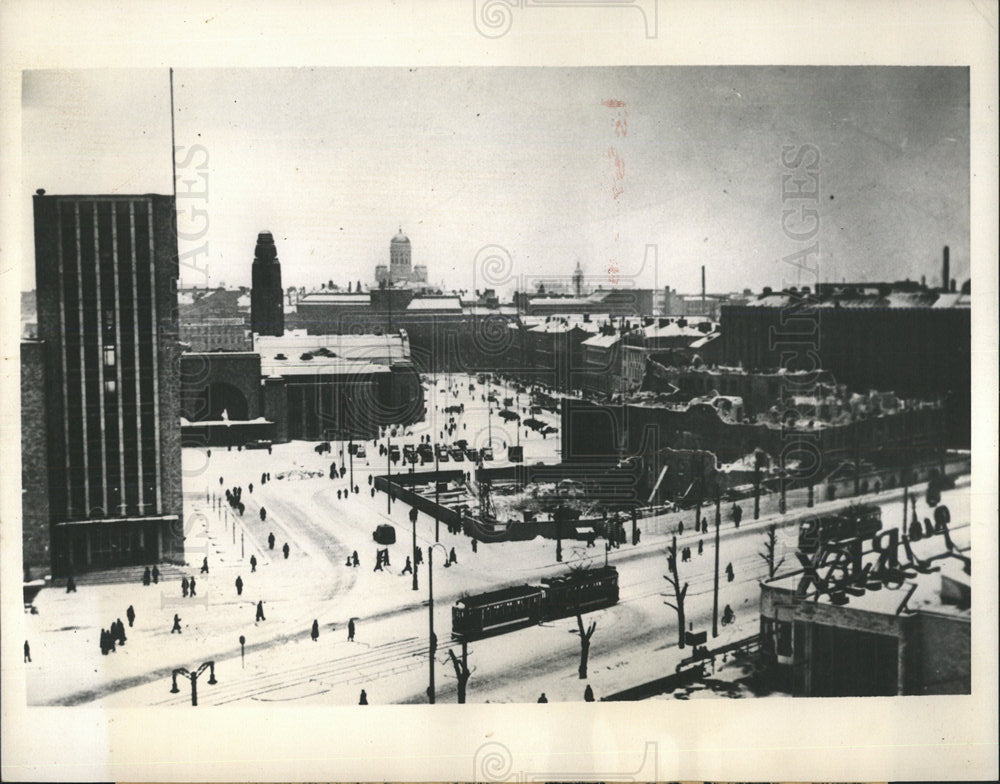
{"x": 508, "y": 609}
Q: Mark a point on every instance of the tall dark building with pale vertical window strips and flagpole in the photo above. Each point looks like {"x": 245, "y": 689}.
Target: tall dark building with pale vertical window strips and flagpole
{"x": 106, "y": 270}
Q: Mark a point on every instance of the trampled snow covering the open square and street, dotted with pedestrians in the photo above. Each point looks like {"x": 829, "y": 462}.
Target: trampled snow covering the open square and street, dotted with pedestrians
{"x": 635, "y": 641}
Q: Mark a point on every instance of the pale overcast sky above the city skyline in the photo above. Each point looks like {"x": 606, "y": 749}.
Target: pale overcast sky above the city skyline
{"x": 553, "y": 165}
